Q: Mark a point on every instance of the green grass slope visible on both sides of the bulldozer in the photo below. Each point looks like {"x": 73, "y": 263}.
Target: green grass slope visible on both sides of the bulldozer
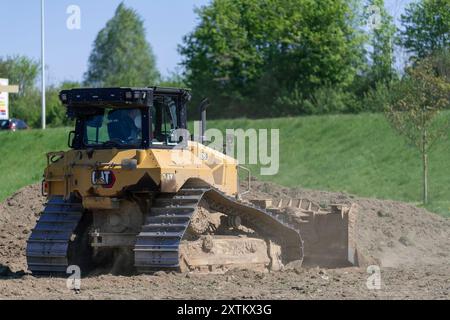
{"x": 358, "y": 154}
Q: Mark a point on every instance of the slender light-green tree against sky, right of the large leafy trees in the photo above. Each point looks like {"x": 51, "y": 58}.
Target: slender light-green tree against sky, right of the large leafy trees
{"x": 382, "y": 43}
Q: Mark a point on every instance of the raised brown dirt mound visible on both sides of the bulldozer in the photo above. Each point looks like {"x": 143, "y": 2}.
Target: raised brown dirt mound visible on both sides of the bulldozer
{"x": 389, "y": 233}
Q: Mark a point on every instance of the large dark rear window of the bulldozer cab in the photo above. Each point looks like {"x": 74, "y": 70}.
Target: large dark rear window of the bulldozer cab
{"x": 113, "y": 128}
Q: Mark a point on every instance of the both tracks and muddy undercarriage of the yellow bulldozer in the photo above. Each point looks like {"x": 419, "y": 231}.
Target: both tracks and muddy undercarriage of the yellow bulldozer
{"x": 197, "y": 229}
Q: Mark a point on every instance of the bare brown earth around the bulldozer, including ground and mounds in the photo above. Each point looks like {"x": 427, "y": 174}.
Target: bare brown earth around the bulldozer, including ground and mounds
{"x": 410, "y": 244}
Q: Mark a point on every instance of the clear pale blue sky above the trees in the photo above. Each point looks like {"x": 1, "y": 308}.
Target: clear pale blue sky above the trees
{"x": 166, "y": 21}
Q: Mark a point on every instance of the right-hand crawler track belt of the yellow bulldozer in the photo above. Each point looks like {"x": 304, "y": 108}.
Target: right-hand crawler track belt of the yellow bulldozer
{"x": 157, "y": 246}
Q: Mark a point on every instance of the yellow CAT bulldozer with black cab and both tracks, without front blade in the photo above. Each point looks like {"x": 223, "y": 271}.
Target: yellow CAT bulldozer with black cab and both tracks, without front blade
{"x": 134, "y": 191}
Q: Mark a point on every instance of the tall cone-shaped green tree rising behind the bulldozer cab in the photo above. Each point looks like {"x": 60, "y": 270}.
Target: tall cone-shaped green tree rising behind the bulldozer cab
{"x": 121, "y": 55}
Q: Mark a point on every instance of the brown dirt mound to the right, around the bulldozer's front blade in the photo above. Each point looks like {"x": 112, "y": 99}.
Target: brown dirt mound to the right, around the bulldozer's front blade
{"x": 389, "y": 233}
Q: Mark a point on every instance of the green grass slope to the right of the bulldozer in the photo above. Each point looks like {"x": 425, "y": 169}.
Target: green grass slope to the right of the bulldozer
{"x": 358, "y": 154}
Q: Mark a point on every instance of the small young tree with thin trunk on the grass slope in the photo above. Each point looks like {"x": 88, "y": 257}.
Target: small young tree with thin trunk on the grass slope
{"x": 415, "y": 107}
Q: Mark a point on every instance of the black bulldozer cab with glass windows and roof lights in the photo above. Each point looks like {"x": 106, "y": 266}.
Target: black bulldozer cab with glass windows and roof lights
{"x": 126, "y": 118}
